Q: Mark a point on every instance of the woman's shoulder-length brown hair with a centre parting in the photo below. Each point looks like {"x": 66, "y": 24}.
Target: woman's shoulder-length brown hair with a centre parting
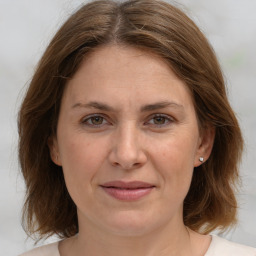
{"x": 166, "y": 31}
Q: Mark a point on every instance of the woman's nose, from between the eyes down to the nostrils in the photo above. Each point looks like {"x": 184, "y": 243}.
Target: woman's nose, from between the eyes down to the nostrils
{"x": 127, "y": 150}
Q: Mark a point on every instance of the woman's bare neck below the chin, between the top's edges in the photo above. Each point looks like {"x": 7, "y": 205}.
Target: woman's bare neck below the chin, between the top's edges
{"x": 172, "y": 239}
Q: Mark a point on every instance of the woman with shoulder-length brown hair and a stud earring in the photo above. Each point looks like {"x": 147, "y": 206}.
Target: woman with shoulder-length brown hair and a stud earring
{"x": 128, "y": 145}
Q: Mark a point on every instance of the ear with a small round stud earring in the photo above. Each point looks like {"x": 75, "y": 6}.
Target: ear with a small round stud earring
{"x": 206, "y": 141}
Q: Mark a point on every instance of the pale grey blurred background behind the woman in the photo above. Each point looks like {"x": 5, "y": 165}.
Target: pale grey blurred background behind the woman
{"x": 27, "y": 26}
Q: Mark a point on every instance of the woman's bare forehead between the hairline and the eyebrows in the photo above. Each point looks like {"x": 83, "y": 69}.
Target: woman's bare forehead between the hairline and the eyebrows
{"x": 128, "y": 73}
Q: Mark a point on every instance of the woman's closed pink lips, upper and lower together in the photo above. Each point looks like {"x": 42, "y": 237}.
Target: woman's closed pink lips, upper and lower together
{"x": 127, "y": 191}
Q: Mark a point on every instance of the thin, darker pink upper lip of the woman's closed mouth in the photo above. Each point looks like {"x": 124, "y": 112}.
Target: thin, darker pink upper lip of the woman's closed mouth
{"x": 127, "y": 185}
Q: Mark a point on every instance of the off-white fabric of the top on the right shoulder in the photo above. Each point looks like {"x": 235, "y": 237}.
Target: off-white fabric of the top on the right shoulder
{"x": 222, "y": 247}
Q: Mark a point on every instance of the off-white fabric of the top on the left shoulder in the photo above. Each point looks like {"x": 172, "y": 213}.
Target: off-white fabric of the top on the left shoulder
{"x": 45, "y": 250}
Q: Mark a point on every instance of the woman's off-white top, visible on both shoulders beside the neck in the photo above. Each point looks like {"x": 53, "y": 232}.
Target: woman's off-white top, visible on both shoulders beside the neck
{"x": 218, "y": 247}
